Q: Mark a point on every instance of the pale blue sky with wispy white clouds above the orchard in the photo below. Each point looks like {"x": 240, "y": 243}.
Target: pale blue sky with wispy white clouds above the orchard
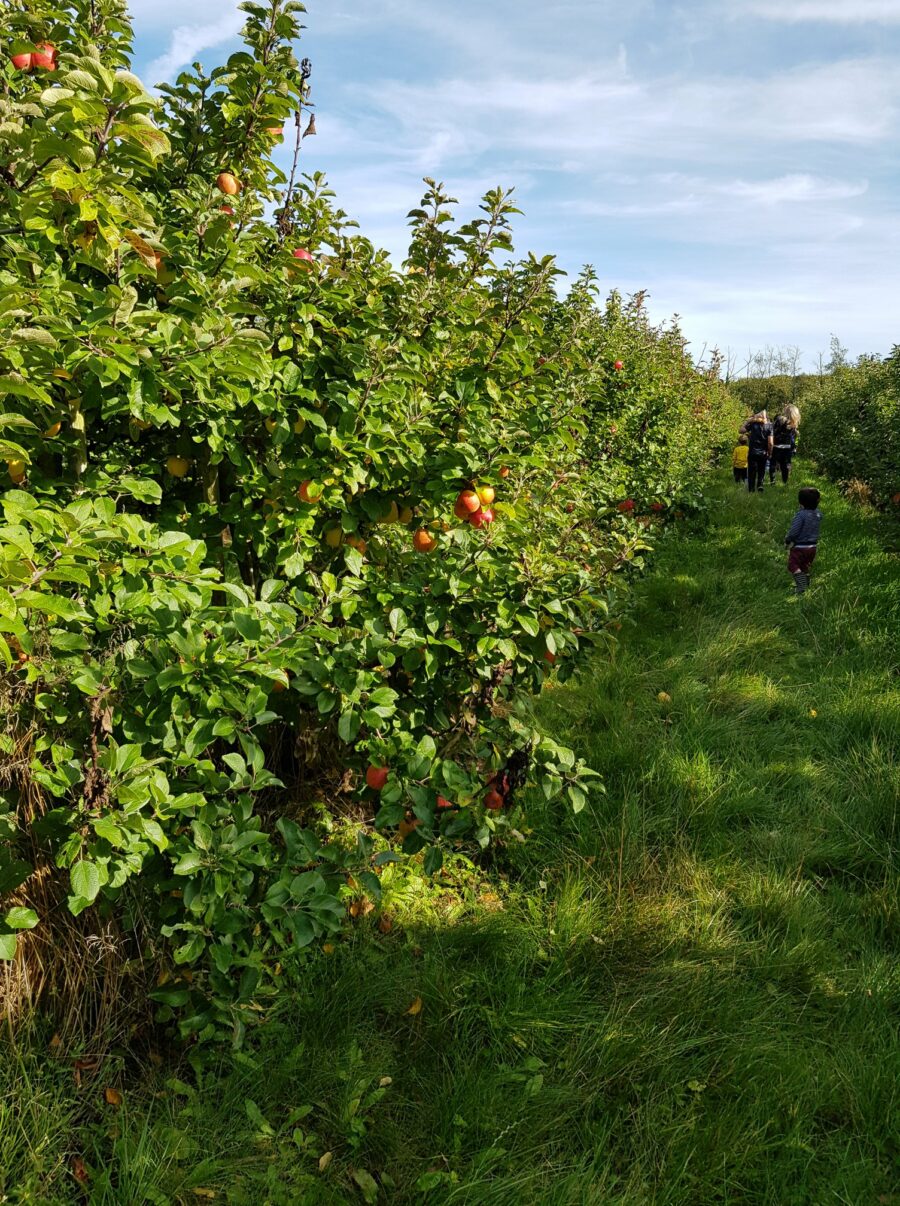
{"x": 735, "y": 159}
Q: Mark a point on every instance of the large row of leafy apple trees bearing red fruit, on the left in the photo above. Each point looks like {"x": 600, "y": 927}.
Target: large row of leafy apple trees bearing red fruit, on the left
{"x": 266, "y": 488}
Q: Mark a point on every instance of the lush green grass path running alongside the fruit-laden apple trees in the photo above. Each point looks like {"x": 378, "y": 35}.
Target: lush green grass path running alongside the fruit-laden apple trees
{"x": 688, "y": 994}
